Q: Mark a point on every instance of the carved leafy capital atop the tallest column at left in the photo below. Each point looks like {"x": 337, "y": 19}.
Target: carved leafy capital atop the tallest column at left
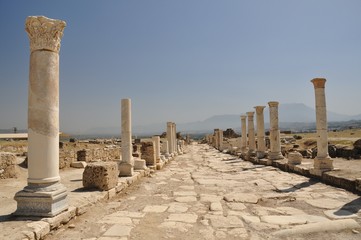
{"x": 44, "y": 33}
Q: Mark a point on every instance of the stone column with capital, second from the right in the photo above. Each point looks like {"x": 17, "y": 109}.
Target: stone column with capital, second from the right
{"x": 275, "y": 142}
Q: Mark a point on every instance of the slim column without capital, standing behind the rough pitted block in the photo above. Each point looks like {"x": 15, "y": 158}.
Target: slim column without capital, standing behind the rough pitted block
{"x": 126, "y": 166}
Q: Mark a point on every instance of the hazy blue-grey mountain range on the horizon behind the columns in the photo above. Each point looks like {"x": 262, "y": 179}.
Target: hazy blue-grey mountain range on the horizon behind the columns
{"x": 293, "y": 116}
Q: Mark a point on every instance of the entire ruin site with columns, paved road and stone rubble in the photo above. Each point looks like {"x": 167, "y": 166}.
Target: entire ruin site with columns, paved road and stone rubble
{"x": 262, "y": 183}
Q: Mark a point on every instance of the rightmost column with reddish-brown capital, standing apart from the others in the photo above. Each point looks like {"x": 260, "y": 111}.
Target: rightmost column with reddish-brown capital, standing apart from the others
{"x": 322, "y": 162}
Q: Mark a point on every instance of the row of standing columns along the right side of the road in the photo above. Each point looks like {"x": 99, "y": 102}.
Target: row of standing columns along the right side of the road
{"x": 322, "y": 162}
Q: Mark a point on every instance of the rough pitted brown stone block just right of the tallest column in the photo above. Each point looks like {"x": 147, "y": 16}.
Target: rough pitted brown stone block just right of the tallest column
{"x": 101, "y": 175}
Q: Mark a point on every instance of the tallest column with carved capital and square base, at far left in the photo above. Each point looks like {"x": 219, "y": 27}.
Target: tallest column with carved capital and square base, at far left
{"x": 44, "y": 195}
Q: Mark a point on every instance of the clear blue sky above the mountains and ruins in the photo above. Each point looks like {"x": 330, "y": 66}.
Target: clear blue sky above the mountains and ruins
{"x": 184, "y": 60}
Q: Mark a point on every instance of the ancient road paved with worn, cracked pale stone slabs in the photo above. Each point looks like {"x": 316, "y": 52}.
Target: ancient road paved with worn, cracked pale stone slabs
{"x": 205, "y": 194}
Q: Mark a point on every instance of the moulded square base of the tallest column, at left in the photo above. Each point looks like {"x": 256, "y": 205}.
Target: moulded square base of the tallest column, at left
{"x": 41, "y": 200}
